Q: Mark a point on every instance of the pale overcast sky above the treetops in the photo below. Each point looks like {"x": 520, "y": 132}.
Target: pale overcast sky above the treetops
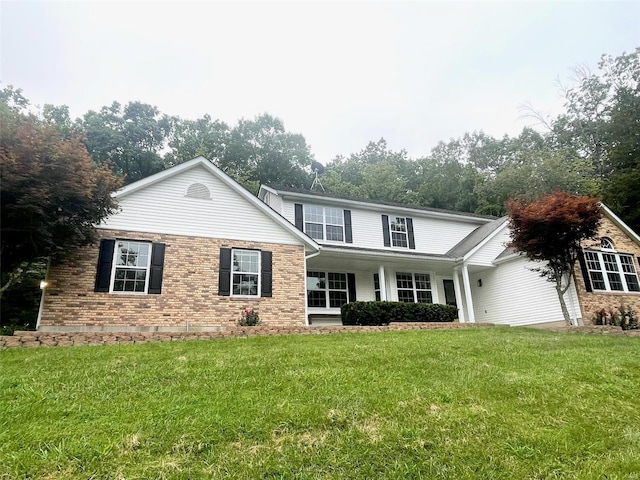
{"x": 340, "y": 73}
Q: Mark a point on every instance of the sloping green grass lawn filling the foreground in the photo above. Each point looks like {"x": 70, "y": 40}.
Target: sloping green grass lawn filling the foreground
{"x": 493, "y": 403}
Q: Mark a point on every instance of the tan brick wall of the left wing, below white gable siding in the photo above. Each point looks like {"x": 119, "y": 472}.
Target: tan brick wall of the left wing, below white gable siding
{"x": 189, "y": 288}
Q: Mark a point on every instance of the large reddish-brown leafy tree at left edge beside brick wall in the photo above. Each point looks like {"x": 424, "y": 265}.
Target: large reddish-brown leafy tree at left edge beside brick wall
{"x": 52, "y": 192}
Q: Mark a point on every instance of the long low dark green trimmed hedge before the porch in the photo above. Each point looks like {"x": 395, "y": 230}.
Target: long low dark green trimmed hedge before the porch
{"x": 384, "y": 313}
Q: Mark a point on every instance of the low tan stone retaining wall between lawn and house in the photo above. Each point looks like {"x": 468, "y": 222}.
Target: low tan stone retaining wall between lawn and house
{"x": 52, "y": 339}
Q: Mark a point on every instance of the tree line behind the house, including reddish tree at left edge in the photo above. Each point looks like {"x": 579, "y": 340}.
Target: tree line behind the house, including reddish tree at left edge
{"x": 591, "y": 148}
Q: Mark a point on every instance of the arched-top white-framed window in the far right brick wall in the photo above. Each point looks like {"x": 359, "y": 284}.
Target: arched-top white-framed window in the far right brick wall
{"x": 610, "y": 271}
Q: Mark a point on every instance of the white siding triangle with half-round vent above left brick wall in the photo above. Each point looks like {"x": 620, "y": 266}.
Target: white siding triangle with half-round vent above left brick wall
{"x": 164, "y": 208}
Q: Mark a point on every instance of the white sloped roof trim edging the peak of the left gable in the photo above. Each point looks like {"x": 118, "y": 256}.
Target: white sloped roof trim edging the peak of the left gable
{"x": 201, "y": 162}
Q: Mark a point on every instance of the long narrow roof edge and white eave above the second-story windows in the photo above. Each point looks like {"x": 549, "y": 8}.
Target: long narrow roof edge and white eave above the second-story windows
{"x": 365, "y": 202}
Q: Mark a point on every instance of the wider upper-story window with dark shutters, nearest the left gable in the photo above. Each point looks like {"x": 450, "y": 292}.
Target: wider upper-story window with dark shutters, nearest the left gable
{"x": 324, "y": 223}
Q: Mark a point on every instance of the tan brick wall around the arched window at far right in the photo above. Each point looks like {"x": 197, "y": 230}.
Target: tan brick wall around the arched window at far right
{"x": 593, "y": 302}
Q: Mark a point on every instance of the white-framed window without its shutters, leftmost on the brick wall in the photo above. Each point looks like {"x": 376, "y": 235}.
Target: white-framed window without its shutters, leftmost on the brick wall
{"x": 130, "y": 272}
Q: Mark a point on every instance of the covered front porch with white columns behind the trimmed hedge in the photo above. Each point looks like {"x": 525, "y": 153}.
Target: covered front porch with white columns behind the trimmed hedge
{"x": 339, "y": 275}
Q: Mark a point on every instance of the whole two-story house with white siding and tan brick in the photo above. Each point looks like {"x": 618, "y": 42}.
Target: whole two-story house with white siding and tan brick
{"x": 190, "y": 248}
